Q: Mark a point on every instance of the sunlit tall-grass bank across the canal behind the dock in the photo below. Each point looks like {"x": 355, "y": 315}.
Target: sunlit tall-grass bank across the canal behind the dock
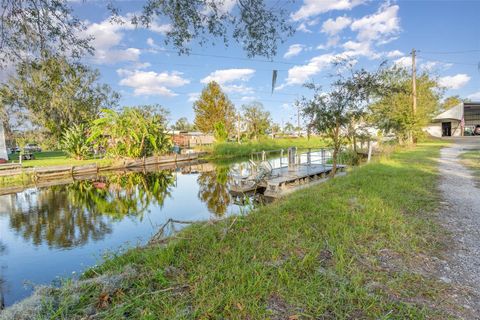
{"x": 232, "y": 149}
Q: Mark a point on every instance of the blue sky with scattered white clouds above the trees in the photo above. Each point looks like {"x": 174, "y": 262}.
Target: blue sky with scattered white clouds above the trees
{"x": 136, "y": 63}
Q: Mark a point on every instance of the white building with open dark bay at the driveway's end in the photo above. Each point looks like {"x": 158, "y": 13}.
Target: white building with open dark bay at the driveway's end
{"x": 458, "y": 121}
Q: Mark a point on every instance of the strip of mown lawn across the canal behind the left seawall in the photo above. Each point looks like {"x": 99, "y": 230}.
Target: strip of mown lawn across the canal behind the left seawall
{"x": 54, "y": 158}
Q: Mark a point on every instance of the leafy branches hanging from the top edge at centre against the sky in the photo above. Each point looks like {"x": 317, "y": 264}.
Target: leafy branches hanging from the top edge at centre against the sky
{"x": 257, "y": 25}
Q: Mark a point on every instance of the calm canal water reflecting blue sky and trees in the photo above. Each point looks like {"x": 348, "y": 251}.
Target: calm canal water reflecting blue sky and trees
{"x": 49, "y": 233}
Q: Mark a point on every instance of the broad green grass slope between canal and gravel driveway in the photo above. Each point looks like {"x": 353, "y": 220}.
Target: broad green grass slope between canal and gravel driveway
{"x": 341, "y": 250}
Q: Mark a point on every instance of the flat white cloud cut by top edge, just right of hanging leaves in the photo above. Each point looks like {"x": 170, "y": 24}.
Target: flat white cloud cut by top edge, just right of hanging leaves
{"x": 311, "y": 8}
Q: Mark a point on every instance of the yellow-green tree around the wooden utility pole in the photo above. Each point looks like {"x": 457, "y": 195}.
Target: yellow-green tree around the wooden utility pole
{"x": 393, "y": 113}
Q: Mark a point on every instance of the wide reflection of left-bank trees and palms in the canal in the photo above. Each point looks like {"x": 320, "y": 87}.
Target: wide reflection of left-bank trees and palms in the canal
{"x": 69, "y": 216}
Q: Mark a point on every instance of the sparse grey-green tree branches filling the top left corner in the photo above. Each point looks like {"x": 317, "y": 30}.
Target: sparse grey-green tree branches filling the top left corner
{"x": 31, "y": 28}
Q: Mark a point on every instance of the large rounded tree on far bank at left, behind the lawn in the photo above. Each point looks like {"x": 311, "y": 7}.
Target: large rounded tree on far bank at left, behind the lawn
{"x": 54, "y": 94}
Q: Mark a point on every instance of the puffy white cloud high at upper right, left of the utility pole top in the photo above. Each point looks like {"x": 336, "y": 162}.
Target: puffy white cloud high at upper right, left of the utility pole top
{"x": 379, "y": 26}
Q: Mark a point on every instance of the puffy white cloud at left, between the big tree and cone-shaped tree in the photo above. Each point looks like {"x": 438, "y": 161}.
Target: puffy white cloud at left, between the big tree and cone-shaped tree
{"x": 152, "y": 83}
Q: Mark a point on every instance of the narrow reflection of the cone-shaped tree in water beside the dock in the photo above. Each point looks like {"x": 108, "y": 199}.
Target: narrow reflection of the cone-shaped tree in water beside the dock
{"x": 213, "y": 190}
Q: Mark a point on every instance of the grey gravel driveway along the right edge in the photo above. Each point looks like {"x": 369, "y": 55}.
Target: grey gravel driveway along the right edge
{"x": 460, "y": 214}
